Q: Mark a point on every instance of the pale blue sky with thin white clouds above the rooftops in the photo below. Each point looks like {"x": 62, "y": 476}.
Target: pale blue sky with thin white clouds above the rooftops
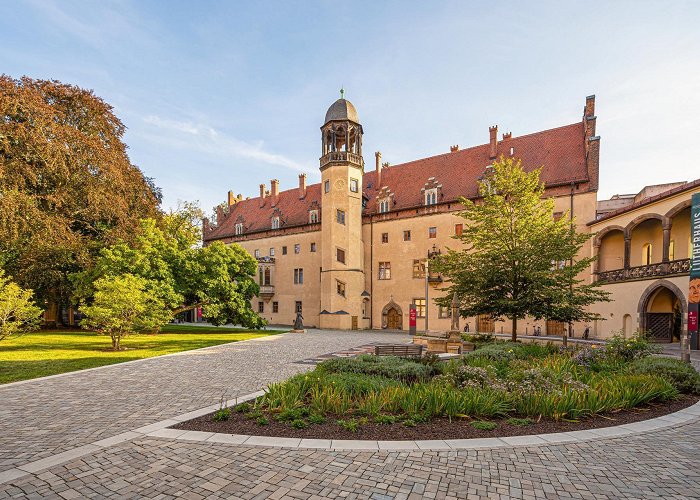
{"x": 225, "y": 95}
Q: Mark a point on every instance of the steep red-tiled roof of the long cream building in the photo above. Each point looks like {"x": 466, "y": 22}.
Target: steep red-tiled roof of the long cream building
{"x": 560, "y": 151}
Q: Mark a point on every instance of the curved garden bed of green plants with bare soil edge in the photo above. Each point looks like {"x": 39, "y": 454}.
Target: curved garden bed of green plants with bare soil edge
{"x": 500, "y": 389}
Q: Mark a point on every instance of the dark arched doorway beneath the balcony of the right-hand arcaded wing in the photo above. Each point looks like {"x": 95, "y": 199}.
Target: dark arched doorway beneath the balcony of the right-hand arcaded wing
{"x": 662, "y": 308}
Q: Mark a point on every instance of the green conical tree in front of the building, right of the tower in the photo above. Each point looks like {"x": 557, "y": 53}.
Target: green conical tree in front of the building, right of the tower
{"x": 517, "y": 259}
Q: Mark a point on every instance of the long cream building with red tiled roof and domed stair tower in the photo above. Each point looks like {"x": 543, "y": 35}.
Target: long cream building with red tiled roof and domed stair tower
{"x": 350, "y": 252}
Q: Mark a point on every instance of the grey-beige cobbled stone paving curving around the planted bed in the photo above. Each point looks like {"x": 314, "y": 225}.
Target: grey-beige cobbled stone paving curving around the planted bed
{"x": 45, "y": 416}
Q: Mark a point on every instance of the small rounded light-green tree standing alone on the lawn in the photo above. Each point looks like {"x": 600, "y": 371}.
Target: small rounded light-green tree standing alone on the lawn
{"x": 124, "y": 305}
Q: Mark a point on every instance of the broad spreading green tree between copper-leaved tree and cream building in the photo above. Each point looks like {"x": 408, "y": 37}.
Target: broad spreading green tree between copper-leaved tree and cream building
{"x": 180, "y": 272}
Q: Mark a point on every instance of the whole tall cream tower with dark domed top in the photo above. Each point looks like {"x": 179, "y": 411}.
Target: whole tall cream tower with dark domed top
{"x": 342, "y": 251}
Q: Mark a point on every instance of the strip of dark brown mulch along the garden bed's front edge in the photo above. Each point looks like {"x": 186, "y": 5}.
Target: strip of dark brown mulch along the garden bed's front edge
{"x": 436, "y": 429}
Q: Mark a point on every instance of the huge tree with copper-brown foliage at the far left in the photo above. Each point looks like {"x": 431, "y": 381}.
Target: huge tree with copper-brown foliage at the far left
{"x": 67, "y": 186}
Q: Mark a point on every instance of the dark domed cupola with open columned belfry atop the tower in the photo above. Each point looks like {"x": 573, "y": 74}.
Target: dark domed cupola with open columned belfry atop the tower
{"x": 341, "y": 134}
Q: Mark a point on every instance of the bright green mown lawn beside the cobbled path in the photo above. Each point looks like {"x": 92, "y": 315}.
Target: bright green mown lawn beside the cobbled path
{"x": 49, "y": 352}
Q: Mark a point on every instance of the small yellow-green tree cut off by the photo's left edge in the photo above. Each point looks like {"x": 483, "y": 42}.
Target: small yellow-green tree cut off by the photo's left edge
{"x": 18, "y": 313}
